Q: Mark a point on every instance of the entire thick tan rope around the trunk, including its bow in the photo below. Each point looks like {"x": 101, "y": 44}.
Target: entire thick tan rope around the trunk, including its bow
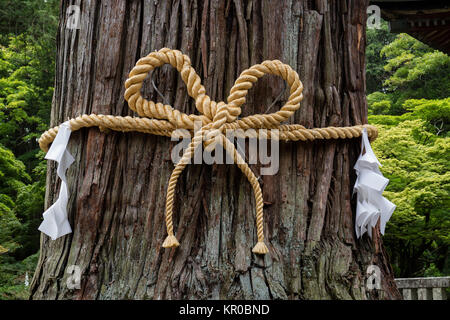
{"x": 216, "y": 117}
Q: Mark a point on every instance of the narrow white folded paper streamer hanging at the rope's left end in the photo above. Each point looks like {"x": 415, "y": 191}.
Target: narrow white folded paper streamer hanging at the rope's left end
{"x": 55, "y": 222}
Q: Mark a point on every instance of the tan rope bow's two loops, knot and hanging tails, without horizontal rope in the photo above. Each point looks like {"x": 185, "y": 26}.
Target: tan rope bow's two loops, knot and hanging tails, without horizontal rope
{"x": 214, "y": 116}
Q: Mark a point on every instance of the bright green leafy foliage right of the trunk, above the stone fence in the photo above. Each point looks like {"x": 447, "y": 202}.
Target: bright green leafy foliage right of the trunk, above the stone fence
{"x": 417, "y": 163}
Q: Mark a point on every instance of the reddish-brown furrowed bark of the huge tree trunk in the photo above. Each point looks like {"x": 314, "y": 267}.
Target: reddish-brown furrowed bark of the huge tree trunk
{"x": 118, "y": 181}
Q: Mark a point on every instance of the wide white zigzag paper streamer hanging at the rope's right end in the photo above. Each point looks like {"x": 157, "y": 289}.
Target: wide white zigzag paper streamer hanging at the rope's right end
{"x": 370, "y": 184}
